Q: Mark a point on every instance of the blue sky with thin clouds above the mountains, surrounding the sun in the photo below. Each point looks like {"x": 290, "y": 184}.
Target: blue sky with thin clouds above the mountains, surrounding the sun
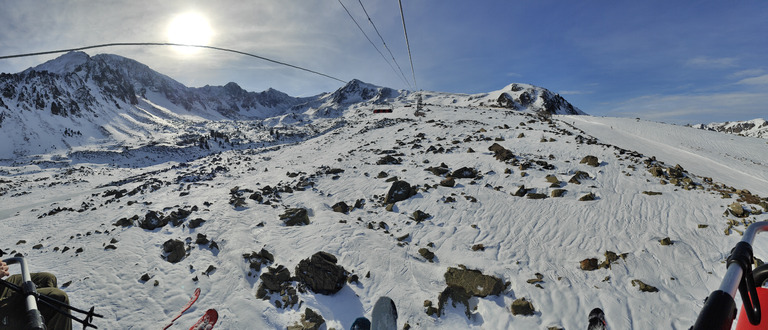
{"x": 671, "y": 61}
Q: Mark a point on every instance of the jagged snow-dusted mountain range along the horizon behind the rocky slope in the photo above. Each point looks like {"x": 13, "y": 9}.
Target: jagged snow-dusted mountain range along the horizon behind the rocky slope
{"x": 77, "y": 101}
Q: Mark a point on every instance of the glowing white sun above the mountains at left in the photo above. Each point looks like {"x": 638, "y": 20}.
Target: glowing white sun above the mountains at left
{"x": 189, "y": 29}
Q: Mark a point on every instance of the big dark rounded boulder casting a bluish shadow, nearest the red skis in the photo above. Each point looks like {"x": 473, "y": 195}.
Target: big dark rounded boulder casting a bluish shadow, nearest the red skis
{"x": 321, "y": 274}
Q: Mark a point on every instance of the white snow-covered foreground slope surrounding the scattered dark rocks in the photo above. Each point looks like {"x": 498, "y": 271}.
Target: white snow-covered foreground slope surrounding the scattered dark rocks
{"x": 102, "y": 264}
